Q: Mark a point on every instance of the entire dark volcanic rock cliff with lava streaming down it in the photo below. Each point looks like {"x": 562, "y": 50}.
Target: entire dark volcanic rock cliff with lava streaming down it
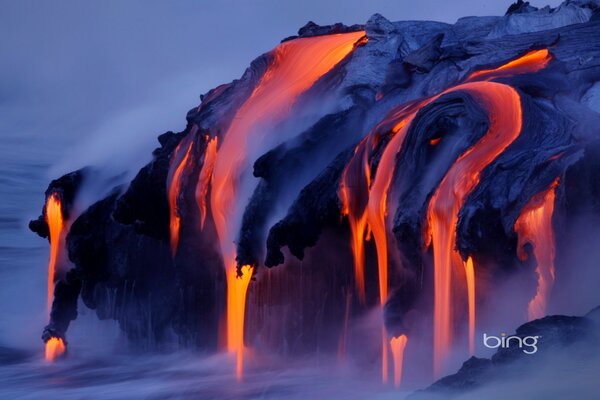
{"x": 342, "y": 134}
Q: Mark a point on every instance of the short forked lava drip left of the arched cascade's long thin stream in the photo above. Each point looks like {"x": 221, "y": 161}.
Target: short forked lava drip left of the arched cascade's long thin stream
{"x": 354, "y": 195}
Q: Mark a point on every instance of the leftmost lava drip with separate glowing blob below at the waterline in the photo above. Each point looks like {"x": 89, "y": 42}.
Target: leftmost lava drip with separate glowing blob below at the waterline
{"x": 55, "y": 347}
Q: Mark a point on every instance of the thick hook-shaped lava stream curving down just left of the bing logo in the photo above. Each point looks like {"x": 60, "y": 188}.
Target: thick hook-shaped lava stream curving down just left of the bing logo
{"x": 504, "y": 108}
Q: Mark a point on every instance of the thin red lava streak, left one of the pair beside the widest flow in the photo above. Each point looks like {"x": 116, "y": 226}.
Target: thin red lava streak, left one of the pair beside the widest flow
{"x": 176, "y": 172}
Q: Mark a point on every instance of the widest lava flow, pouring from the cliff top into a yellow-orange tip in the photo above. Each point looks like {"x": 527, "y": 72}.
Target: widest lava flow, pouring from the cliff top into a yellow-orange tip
{"x": 296, "y": 65}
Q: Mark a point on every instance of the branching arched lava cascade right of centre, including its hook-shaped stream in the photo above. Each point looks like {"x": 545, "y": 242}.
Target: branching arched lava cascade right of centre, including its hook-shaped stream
{"x": 503, "y": 106}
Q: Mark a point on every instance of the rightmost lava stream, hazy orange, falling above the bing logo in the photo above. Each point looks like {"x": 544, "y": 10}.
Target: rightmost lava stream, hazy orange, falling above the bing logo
{"x": 534, "y": 226}
